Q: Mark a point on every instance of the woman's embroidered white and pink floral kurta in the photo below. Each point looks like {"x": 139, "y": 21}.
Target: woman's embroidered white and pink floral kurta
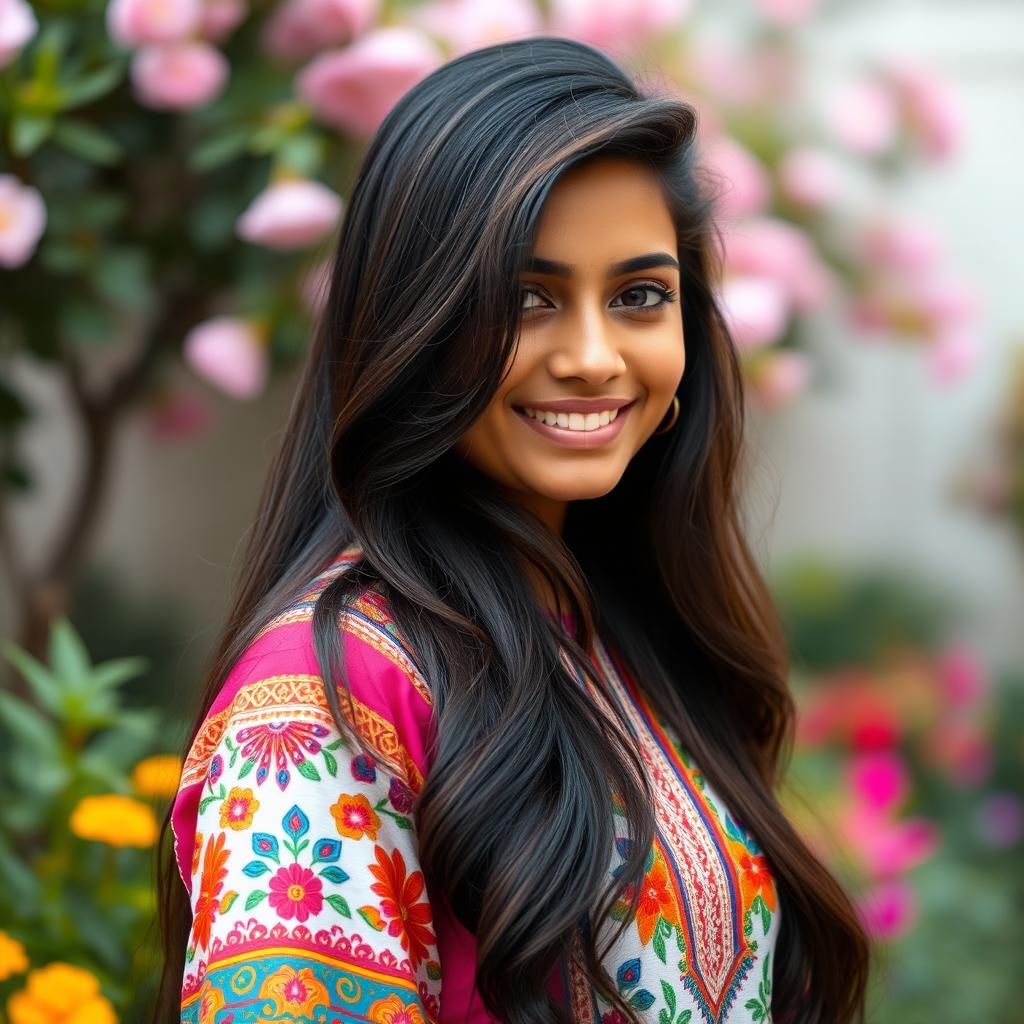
{"x": 301, "y": 856}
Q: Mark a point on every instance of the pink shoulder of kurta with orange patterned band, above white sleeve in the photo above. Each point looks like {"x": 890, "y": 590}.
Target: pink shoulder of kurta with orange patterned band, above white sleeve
{"x": 278, "y": 677}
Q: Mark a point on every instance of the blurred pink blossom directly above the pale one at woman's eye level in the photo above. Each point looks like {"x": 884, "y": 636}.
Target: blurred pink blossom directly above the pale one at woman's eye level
{"x": 780, "y": 251}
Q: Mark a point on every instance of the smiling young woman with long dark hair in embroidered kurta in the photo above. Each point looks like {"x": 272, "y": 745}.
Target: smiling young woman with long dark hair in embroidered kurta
{"x": 540, "y": 784}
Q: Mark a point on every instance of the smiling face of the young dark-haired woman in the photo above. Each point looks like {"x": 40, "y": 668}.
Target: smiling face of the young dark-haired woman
{"x": 601, "y": 352}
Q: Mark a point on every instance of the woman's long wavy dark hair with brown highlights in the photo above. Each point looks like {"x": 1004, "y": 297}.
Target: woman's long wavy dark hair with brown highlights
{"x": 420, "y": 323}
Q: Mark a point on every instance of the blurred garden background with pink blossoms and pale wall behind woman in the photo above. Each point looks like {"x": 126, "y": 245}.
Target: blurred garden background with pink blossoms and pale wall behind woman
{"x": 172, "y": 180}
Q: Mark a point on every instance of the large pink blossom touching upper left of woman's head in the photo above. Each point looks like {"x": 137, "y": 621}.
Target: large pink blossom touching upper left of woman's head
{"x": 356, "y": 88}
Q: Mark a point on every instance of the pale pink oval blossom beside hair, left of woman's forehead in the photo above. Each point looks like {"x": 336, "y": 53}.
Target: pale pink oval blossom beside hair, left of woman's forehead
{"x": 290, "y": 215}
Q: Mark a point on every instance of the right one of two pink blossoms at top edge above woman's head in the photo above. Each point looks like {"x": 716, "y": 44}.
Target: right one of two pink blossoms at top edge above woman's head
{"x": 616, "y": 25}
